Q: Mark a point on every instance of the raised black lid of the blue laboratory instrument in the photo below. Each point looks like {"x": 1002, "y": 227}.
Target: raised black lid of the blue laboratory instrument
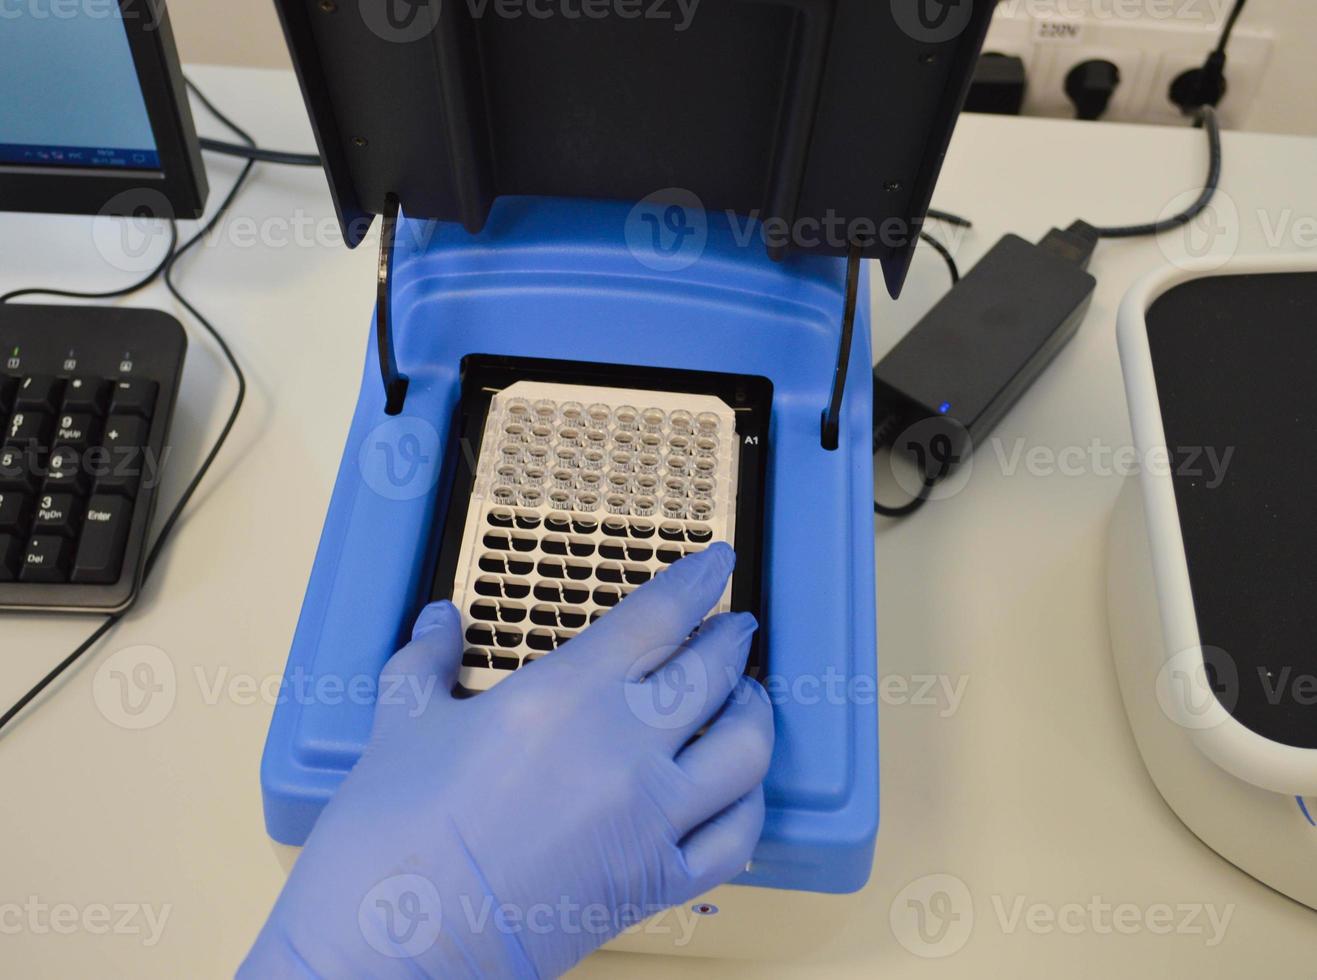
{"x": 824, "y": 114}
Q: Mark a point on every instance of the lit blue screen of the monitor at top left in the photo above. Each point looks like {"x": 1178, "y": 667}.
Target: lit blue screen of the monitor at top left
{"x": 72, "y": 94}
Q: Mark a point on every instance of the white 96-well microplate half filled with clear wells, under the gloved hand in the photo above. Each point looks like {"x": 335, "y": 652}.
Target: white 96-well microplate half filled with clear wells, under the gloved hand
{"x": 581, "y": 496}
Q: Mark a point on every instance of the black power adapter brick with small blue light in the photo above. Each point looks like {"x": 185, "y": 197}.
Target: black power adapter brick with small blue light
{"x": 948, "y": 383}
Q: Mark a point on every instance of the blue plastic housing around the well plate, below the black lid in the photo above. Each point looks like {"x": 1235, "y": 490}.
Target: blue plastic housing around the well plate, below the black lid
{"x": 579, "y": 280}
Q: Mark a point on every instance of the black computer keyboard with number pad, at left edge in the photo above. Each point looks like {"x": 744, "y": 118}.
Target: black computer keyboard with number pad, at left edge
{"x": 86, "y": 401}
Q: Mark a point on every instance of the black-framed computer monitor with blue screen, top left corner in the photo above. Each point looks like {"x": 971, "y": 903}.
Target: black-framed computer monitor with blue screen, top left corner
{"x": 94, "y": 117}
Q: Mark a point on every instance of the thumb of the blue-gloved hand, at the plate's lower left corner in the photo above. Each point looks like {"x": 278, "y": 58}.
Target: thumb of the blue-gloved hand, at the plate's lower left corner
{"x": 423, "y": 672}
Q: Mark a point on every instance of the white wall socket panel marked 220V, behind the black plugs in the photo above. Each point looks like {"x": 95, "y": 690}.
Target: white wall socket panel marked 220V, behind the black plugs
{"x": 1148, "y": 52}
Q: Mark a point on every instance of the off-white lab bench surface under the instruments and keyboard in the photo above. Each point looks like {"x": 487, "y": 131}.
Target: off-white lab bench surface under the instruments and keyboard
{"x": 1007, "y": 759}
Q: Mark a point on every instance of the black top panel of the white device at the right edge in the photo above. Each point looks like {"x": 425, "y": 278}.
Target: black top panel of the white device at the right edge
{"x": 1236, "y": 366}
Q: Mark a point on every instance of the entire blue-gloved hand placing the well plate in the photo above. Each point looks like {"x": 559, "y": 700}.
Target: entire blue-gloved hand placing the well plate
{"x": 513, "y": 833}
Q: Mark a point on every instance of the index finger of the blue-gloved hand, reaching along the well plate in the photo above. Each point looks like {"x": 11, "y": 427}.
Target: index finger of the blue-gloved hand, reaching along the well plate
{"x": 651, "y": 624}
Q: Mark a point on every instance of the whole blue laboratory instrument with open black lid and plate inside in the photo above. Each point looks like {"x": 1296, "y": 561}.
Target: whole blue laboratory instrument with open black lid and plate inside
{"x": 622, "y": 314}
